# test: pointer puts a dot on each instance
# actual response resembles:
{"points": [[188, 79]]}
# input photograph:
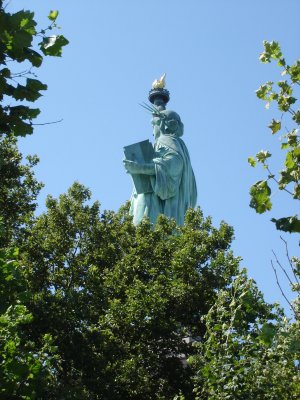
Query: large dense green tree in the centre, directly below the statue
{"points": [[118, 300]]}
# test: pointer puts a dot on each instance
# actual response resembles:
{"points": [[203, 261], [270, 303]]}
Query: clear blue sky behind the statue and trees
{"points": [[209, 51]]}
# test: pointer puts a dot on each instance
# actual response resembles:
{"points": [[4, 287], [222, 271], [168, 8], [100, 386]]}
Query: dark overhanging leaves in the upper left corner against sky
{"points": [[19, 51]]}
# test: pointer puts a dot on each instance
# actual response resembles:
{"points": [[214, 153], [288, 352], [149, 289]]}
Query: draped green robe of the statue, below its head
{"points": [[174, 185]]}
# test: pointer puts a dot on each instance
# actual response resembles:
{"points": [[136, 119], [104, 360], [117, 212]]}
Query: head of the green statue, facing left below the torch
{"points": [[167, 122]]}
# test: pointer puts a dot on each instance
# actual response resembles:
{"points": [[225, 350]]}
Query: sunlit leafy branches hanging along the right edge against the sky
{"points": [[289, 176]]}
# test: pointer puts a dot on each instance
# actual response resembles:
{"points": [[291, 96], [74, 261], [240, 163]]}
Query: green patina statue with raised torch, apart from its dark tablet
{"points": [[172, 186]]}
